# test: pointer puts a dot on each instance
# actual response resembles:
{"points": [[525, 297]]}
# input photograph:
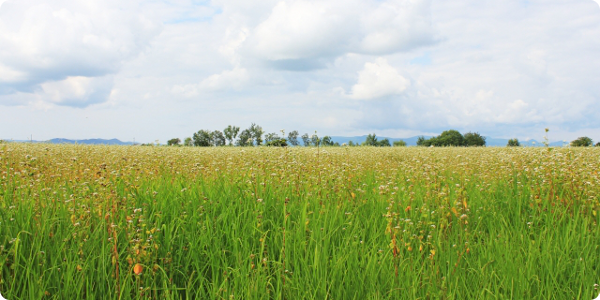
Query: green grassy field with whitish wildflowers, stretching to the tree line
{"points": [[118, 222]]}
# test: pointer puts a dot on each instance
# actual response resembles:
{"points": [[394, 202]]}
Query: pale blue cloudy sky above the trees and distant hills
{"points": [[160, 69]]}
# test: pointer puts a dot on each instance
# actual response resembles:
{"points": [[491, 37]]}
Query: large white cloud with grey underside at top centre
{"points": [[306, 35]]}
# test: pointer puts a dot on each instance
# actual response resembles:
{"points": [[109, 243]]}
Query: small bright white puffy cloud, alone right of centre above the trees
{"points": [[377, 80]]}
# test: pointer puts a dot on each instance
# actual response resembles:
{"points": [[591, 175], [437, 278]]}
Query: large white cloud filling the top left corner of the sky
{"points": [[44, 42]]}
